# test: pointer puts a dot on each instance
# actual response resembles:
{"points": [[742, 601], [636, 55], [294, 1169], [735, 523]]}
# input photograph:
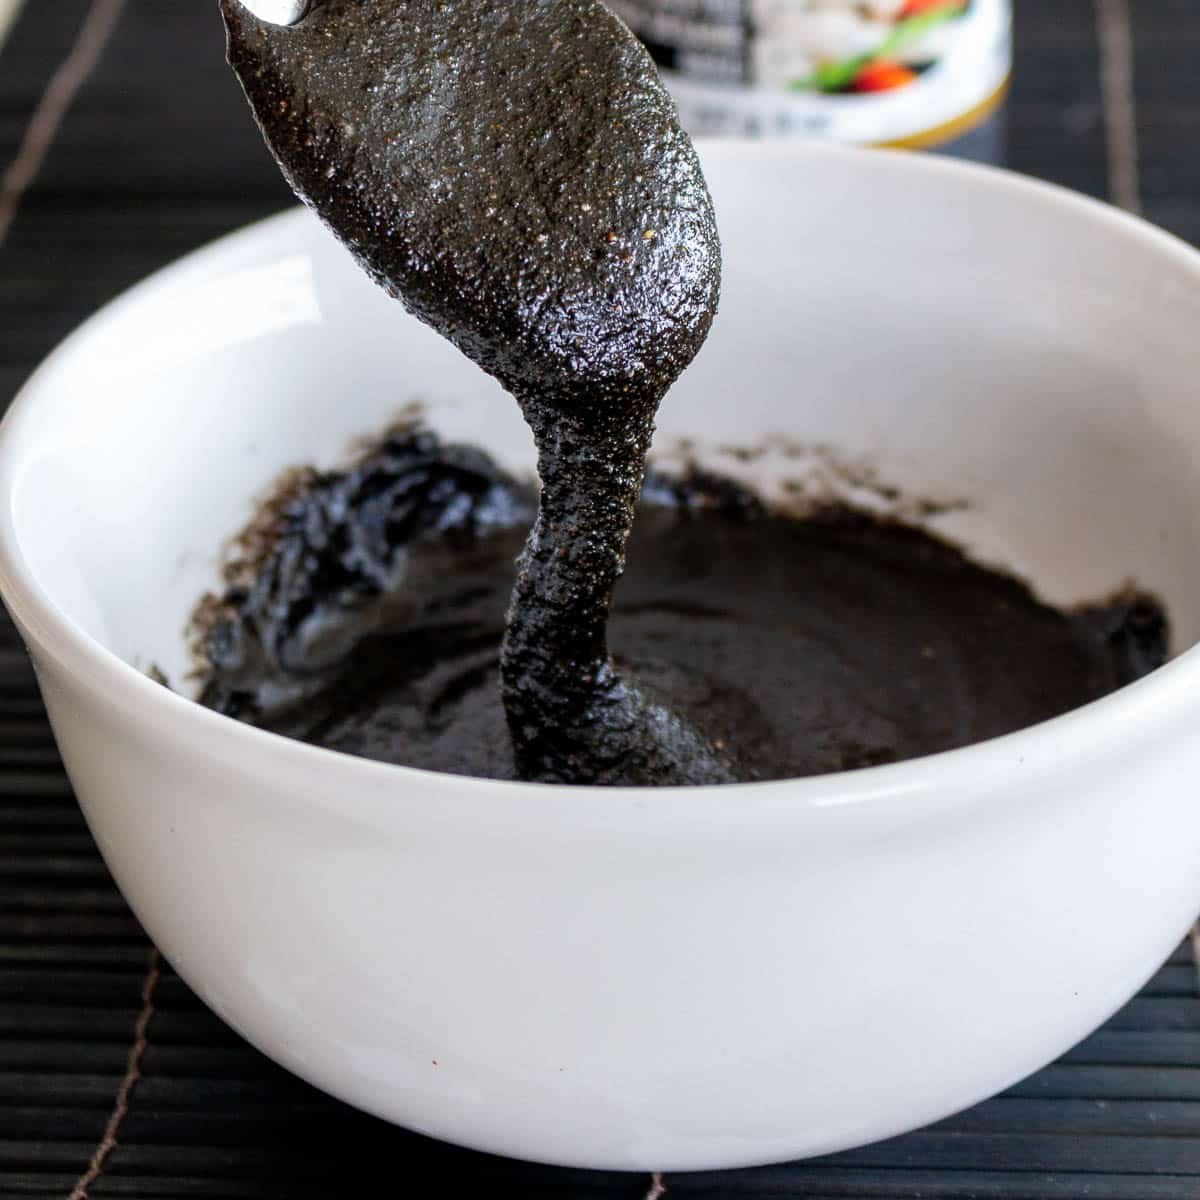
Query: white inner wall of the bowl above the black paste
{"points": [[959, 334]]}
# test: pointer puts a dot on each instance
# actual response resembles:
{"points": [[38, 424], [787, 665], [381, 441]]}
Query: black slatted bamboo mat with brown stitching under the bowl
{"points": [[115, 1081]]}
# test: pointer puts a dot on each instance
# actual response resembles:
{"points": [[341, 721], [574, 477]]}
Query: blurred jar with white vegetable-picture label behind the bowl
{"points": [[915, 74]]}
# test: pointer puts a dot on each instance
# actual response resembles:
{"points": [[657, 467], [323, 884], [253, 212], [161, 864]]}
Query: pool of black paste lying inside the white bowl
{"points": [[368, 616]]}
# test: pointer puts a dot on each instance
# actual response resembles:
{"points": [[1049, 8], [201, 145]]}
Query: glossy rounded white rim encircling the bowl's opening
{"points": [[1132, 713]]}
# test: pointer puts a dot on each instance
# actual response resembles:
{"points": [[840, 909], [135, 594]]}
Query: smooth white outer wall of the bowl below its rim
{"points": [[643, 986]]}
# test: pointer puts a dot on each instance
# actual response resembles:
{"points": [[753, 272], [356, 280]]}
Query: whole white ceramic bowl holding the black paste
{"points": [[641, 980]]}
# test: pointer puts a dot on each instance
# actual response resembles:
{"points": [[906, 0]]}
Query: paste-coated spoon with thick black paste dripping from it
{"points": [[515, 175]]}
